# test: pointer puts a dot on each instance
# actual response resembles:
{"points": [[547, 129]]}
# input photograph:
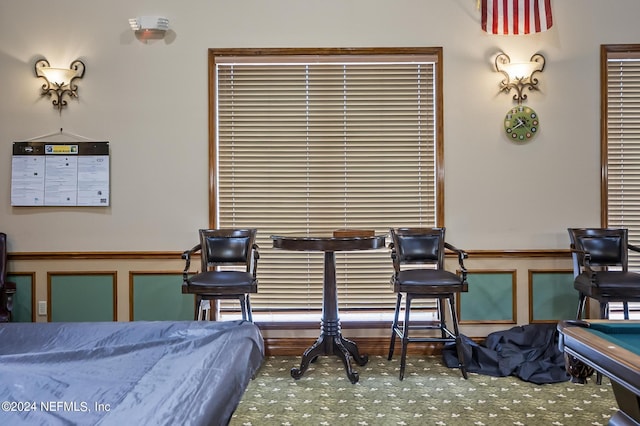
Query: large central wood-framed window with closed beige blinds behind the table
{"points": [[314, 143]]}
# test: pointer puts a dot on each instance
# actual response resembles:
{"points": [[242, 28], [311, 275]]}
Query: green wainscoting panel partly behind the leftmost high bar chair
{"points": [[158, 297]]}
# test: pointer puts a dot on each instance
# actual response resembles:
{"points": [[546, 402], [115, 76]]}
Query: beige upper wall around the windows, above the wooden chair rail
{"points": [[150, 101]]}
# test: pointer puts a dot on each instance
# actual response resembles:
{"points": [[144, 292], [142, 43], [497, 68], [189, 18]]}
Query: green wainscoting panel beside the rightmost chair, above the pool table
{"points": [[552, 296]]}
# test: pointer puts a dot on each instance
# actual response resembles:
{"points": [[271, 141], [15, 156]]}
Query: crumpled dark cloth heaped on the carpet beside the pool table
{"points": [[529, 352]]}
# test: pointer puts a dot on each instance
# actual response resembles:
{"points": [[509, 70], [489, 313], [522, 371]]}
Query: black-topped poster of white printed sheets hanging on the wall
{"points": [[60, 174]]}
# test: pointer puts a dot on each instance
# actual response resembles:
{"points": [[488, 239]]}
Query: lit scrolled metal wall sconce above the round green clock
{"points": [[519, 75]]}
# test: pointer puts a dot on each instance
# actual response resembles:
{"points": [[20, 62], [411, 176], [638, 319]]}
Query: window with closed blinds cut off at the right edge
{"points": [[623, 143]]}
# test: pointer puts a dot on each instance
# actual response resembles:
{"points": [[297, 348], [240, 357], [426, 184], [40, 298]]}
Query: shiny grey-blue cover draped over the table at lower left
{"points": [[126, 373]]}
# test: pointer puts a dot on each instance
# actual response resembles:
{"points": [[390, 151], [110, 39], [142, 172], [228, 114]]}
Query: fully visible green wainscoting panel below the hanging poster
{"points": [[77, 297]]}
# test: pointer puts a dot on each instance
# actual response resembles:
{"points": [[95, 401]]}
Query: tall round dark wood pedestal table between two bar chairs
{"points": [[330, 341]]}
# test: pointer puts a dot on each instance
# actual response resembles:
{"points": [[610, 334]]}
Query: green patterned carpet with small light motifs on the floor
{"points": [[430, 394]]}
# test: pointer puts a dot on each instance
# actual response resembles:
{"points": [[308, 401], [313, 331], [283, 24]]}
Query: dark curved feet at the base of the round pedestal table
{"points": [[337, 345]]}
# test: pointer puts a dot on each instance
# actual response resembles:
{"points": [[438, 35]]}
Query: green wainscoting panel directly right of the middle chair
{"points": [[490, 298]]}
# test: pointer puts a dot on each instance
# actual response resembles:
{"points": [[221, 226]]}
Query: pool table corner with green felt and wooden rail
{"points": [[612, 348]]}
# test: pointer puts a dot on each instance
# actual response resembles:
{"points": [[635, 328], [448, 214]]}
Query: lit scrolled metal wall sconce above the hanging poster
{"points": [[59, 81]]}
